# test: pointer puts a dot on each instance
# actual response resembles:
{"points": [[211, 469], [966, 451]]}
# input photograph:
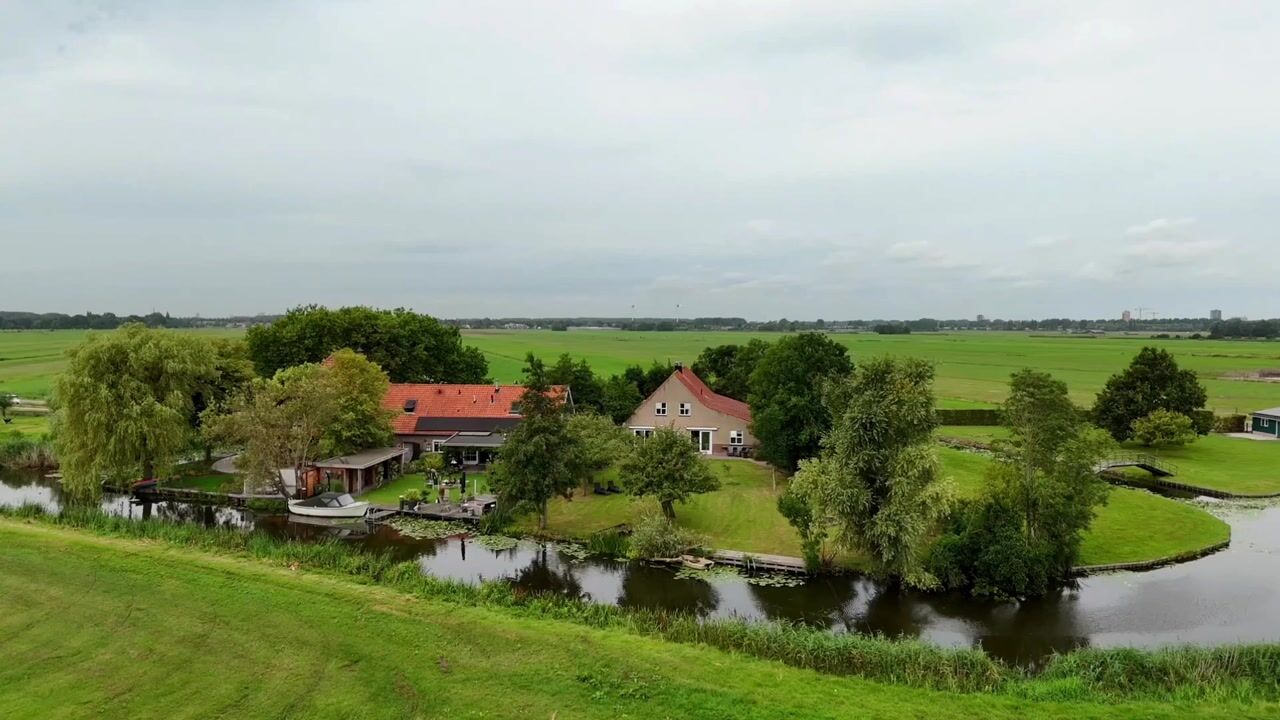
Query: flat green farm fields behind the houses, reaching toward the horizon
{"points": [[972, 368]]}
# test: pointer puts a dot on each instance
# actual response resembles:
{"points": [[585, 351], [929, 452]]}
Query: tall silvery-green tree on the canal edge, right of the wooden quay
{"points": [[876, 484]]}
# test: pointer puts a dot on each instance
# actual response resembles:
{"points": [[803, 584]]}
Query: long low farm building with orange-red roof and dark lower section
{"points": [[472, 420]]}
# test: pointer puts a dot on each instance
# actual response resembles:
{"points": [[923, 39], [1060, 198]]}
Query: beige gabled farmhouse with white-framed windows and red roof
{"points": [[717, 425]]}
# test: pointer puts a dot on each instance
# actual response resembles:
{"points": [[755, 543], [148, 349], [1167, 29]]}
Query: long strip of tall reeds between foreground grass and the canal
{"points": [[1244, 675]]}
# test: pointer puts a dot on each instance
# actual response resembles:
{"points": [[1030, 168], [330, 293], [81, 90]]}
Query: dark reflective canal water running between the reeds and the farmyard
{"points": [[1232, 596]]}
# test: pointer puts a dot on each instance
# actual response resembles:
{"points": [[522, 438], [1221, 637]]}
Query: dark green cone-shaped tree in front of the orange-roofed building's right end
{"points": [[540, 459]]}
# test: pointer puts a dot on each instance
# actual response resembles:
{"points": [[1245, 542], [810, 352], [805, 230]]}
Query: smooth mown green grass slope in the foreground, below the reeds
{"points": [[99, 627]]}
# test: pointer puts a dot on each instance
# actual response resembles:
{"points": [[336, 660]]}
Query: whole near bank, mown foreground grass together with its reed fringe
{"points": [[376, 642]]}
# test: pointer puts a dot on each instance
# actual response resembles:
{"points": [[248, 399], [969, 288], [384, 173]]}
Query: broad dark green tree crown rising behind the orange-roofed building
{"points": [[410, 347]]}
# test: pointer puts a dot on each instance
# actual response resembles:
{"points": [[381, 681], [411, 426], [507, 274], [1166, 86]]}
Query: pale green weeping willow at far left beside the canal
{"points": [[125, 405]]}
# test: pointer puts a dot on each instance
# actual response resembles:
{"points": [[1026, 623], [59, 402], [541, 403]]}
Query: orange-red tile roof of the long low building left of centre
{"points": [[454, 402]]}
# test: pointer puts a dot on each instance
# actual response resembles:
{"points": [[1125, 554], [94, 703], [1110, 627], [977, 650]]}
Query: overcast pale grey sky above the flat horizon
{"points": [[802, 160]]}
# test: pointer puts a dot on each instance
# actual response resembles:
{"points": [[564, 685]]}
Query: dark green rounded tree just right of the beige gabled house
{"points": [[789, 417]]}
